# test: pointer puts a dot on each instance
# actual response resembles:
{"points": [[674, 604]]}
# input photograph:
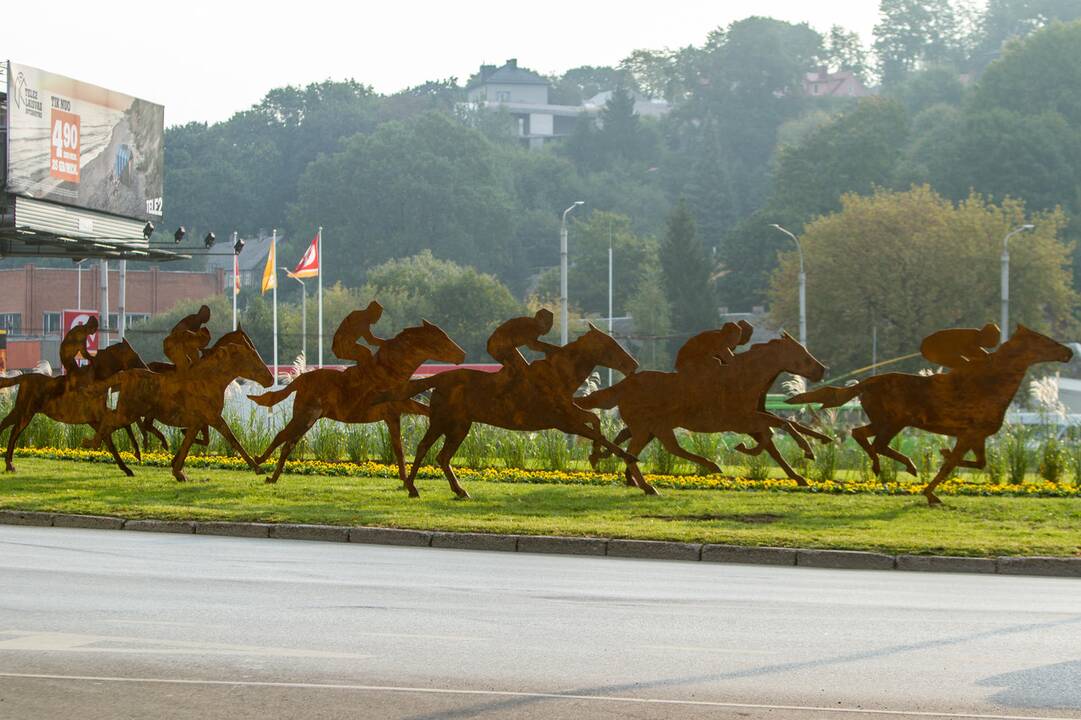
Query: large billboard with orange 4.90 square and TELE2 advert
{"points": [[82, 145]]}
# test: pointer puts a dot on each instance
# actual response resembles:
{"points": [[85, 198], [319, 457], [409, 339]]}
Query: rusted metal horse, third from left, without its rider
{"points": [[351, 395]]}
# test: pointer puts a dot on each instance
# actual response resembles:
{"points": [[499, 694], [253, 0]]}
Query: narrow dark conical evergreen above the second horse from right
{"points": [[687, 270]]}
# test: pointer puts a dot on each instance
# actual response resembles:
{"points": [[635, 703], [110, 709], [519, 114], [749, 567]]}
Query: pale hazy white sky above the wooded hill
{"points": [[205, 61]]}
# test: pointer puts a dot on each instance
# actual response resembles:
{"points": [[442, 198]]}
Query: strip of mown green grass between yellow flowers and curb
{"points": [[965, 526]]}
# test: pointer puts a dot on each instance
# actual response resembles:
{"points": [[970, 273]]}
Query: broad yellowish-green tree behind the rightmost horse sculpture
{"points": [[912, 263]]}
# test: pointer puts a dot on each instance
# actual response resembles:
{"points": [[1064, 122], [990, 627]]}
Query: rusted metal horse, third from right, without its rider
{"points": [[538, 398]]}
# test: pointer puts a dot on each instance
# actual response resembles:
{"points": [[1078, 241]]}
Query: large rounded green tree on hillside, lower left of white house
{"points": [[429, 183]]}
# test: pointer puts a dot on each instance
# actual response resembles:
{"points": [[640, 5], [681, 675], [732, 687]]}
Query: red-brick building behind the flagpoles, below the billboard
{"points": [[32, 300]]}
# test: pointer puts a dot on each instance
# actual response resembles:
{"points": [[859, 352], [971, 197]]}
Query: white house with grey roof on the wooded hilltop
{"points": [[524, 95]]}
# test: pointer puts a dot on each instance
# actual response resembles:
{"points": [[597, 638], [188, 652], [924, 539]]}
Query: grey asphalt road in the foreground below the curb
{"points": [[112, 624]]}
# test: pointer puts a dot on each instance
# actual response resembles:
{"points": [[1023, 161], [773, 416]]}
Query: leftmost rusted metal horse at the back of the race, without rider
{"points": [[84, 403]]}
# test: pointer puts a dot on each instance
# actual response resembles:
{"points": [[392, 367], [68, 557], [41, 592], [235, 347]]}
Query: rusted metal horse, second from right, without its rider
{"points": [[709, 397]]}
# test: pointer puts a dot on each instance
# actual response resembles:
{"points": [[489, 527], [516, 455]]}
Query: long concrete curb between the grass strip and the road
{"points": [[588, 546]]}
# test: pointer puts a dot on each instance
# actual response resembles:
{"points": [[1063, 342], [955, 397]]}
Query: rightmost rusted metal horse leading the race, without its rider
{"points": [[968, 404]]}
